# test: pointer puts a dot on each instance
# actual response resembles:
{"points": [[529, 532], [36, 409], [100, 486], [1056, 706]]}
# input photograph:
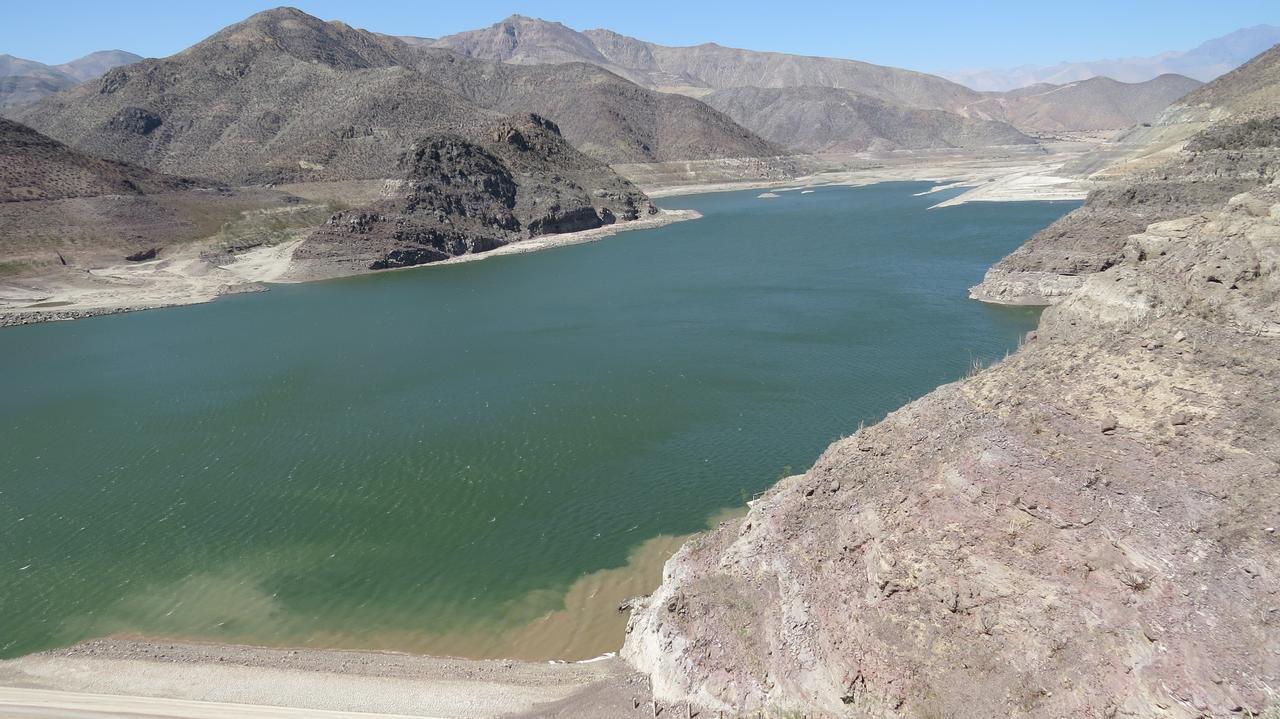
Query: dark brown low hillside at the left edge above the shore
{"points": [[34, 167]]}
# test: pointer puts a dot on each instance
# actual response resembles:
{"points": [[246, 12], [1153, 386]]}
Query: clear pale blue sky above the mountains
{"points": [[920, 35]]}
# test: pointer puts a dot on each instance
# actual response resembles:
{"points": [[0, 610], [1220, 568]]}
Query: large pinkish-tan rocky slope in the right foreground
{"points": [[1087, 529]]}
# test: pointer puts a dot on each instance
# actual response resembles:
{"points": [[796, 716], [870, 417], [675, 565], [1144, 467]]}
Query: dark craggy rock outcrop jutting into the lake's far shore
{"points": [[463, 196]]}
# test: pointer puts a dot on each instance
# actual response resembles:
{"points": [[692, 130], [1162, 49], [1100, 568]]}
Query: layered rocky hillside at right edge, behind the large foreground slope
{"points": [[1240, 153]]}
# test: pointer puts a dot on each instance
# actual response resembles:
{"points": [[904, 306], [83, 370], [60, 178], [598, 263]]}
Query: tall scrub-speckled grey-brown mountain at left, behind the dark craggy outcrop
{"points": [[299, 99]]}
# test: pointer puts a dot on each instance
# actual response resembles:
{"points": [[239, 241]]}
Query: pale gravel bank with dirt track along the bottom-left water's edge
{"points": [[124, 679]]}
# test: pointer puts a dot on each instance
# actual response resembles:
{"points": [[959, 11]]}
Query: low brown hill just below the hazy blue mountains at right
{"points": [[1098, 104]]}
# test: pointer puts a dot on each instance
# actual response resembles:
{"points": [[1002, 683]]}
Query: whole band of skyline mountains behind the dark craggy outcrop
{"points": [[618, 99]]}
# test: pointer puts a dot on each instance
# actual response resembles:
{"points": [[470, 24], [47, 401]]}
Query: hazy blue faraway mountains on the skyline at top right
{"points": [[1204, 63]]}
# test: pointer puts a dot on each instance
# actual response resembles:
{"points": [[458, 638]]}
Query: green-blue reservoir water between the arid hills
{"points": [[381, 460]]}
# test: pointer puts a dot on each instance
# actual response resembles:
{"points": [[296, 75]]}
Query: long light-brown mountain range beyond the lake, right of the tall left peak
{"points": [[778, 97]]}
